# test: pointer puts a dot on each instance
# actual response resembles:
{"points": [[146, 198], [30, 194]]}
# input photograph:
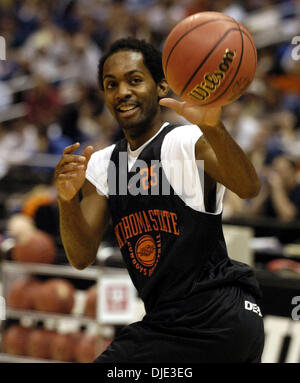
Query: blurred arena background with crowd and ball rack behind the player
{"points": [[49, 98]]}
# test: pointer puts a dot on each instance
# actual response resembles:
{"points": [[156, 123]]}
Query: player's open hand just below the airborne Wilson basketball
{"points": [[196, 114]]}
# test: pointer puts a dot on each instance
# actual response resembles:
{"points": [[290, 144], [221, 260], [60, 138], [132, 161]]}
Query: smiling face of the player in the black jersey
{"points": [[130, 91]]}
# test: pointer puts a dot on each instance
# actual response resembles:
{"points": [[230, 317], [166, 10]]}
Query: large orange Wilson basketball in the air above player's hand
{"points": [[209, 59]]}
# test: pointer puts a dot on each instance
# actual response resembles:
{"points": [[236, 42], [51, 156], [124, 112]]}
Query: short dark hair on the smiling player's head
{"points": [[152, 56]]}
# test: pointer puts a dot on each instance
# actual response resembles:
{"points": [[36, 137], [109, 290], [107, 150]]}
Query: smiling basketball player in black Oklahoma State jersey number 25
{"points": [[200, 305]]}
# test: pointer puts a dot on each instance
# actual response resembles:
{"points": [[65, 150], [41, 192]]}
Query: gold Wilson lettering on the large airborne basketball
{"points": [[211, 81]]}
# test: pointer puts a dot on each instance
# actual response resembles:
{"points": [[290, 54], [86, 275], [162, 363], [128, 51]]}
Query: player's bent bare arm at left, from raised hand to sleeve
{"points": [[82, 223]]}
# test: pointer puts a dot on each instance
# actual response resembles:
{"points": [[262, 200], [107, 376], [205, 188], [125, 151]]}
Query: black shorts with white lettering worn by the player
{"points": [[220, 326]]}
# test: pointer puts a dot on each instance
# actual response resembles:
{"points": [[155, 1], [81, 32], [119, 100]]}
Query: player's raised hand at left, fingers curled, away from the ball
{"points": [[70, 171]]}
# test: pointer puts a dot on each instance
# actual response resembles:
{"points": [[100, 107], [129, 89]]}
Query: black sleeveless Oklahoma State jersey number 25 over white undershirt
{"points": [[172, 252]]}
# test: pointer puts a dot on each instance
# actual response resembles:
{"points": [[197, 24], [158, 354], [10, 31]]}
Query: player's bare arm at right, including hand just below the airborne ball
{"points": [[223, 158]]}
